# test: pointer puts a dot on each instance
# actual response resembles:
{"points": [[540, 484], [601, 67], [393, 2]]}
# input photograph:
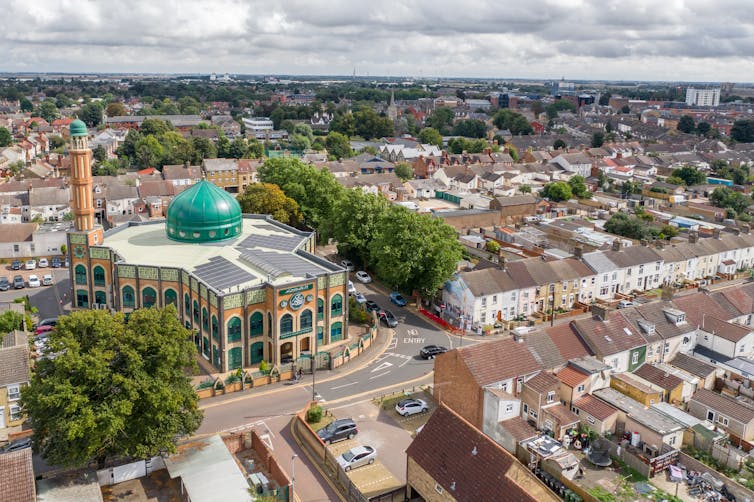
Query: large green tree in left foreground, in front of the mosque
{"points": [[114, 389]]}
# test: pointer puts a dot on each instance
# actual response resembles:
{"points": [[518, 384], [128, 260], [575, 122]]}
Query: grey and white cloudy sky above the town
{"points": [[691, 40]]}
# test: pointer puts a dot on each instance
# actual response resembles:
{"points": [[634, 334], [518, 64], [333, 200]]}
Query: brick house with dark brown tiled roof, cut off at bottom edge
{"points": [[452, 460]]}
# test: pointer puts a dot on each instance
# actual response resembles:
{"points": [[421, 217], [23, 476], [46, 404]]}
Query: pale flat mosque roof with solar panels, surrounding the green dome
{"points": [[265, 252]]}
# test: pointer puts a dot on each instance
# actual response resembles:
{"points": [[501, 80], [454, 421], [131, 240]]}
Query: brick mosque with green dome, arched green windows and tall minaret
{"points": [[248, 287]]}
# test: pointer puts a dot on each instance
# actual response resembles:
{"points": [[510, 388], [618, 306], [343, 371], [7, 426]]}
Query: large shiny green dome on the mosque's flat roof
{"points": [[203, 213]]}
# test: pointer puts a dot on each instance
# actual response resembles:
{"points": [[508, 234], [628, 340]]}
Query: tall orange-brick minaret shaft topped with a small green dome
{"points": [[81, 178]]}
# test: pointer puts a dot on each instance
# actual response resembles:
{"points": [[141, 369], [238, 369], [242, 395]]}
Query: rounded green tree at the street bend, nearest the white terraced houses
{"points": [[414, 251]]}
